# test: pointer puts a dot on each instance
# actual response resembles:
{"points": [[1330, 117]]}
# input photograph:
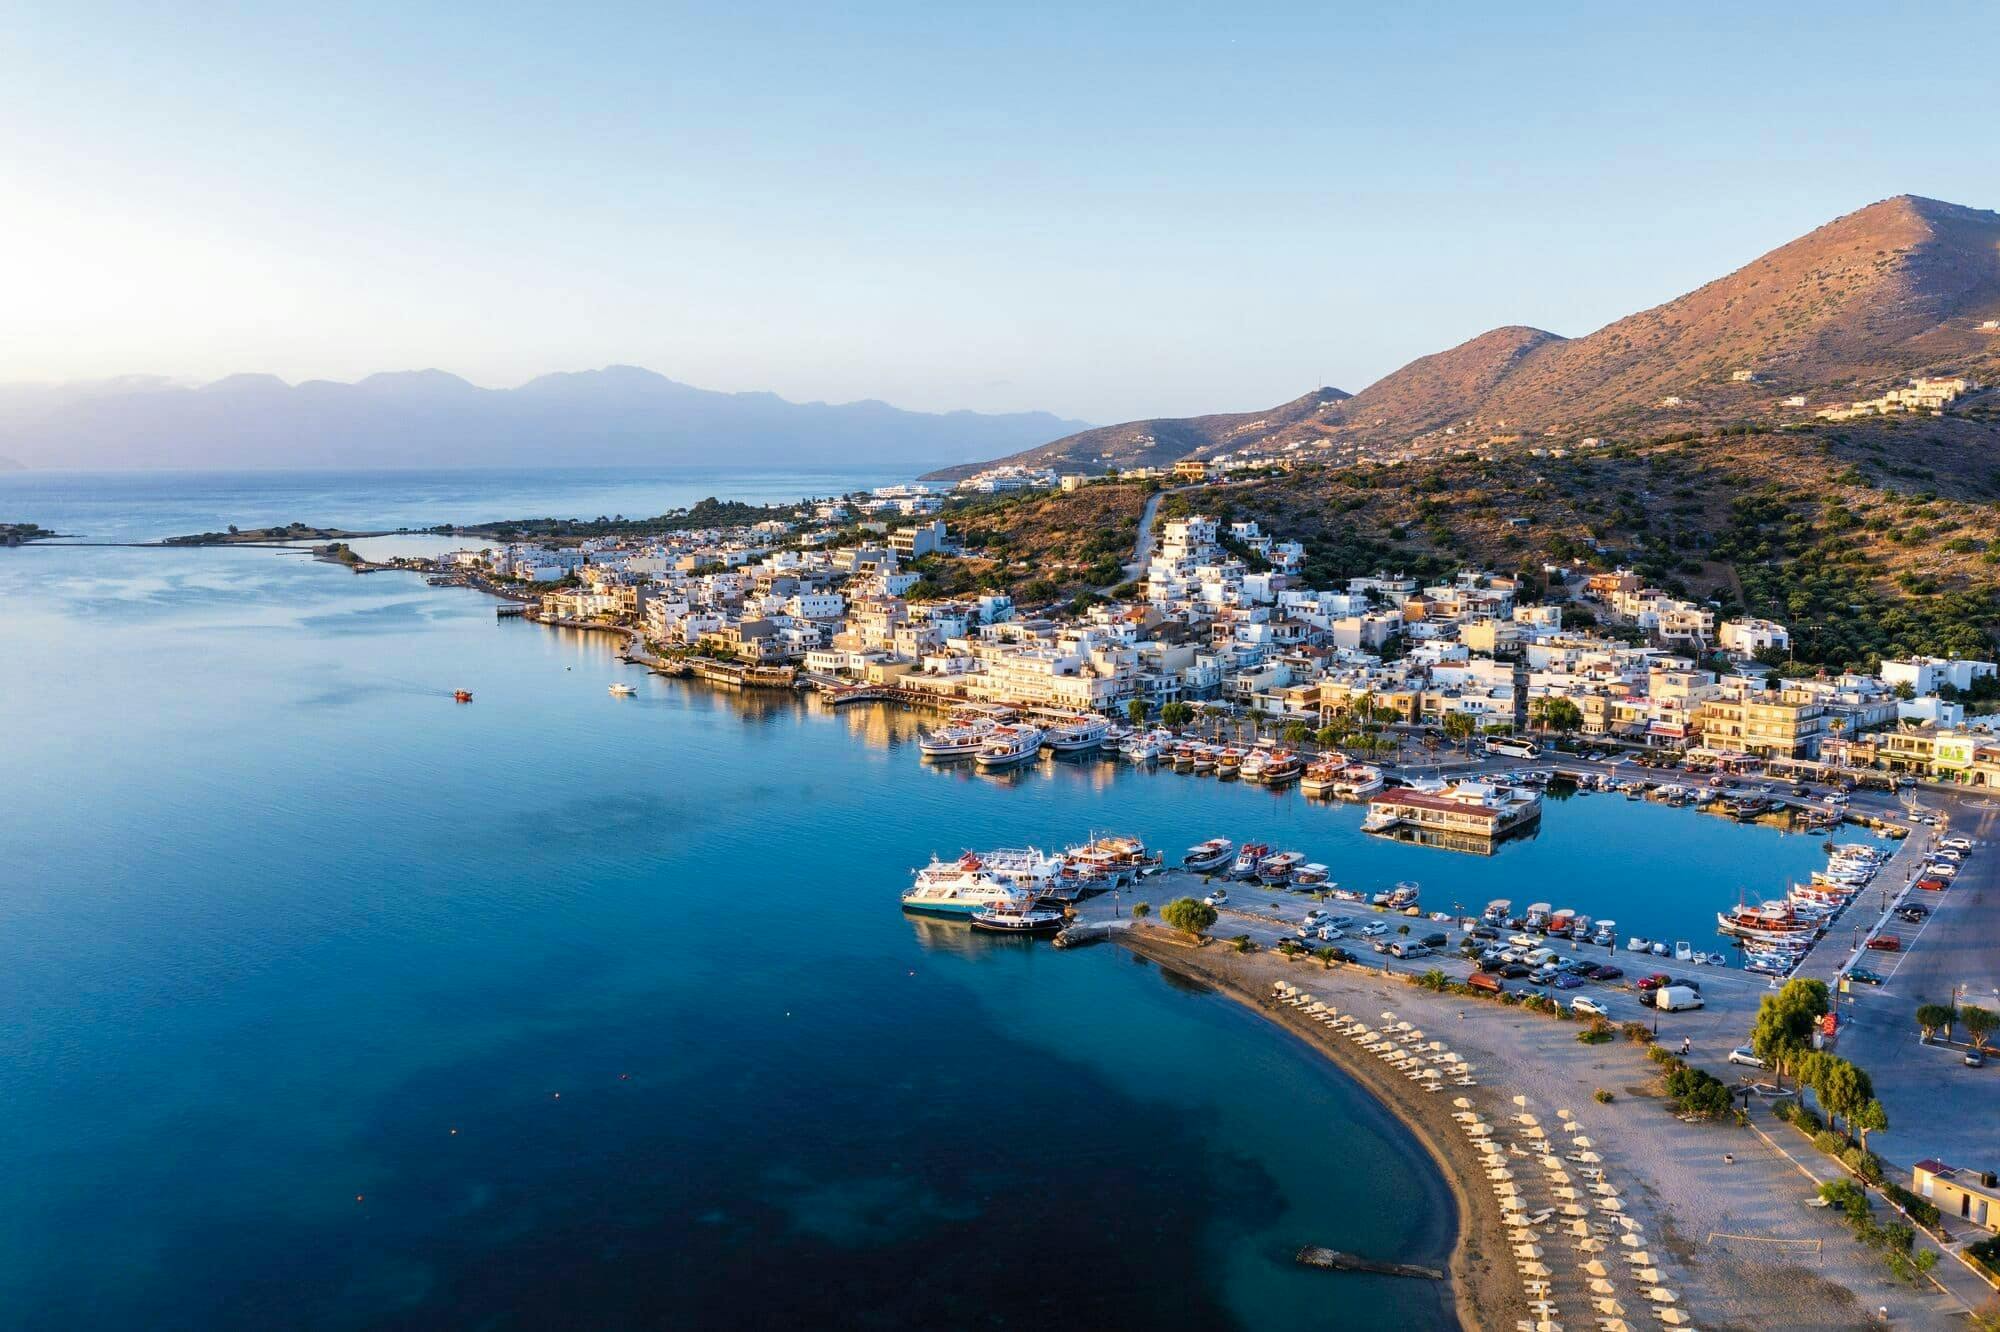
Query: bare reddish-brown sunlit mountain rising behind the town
{"points": [[1855, 307]]}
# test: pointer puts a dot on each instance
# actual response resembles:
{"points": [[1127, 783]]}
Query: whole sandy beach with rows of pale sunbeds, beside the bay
{"points": [[1725, 1221]]}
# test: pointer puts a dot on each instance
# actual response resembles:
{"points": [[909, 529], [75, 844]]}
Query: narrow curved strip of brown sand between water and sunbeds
{"points": [[1483, 1291]]}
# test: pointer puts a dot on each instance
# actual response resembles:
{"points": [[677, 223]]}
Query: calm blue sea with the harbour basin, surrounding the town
{"points": [[329, 1003]]}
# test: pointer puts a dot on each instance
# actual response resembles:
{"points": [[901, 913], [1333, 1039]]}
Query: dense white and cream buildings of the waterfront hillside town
{"points": [[1225, 615]]}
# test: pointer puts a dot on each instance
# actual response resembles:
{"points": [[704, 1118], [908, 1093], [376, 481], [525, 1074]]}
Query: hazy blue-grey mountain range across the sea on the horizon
{"points": [[619, 415]]}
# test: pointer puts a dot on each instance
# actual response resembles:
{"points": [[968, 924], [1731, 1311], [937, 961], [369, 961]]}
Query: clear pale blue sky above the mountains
{"points": [[1095, 211]]}
